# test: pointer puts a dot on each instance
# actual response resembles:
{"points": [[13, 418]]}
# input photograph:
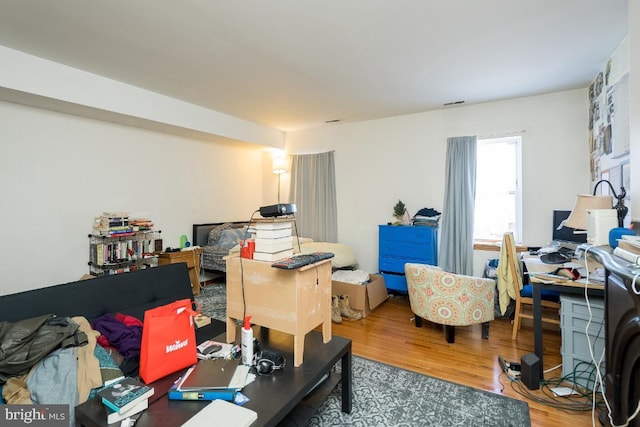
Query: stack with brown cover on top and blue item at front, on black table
{"points": [[210, 379]]}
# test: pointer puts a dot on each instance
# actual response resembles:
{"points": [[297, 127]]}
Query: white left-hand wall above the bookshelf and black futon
{"points": [[59, 171]]}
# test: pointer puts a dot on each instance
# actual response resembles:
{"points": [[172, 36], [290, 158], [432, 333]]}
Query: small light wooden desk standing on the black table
{"points": [[292, 301]]}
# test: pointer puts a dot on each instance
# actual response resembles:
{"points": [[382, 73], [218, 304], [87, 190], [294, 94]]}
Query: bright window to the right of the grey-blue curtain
{"points": [[498, 207]]}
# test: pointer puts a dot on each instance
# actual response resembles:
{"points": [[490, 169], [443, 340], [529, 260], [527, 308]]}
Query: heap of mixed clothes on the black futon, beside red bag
{"points": [[64, 360]]}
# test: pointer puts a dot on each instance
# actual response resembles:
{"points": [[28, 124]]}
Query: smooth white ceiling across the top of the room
{"points": [[294, 64]]}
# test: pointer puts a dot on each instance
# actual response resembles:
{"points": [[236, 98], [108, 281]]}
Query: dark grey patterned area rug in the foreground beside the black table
{"points": [[385, 395]]}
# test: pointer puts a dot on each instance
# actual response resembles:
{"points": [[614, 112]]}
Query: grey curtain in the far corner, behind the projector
{"points": [[313, 190]]}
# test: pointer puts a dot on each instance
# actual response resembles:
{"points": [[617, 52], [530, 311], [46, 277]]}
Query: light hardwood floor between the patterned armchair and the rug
{"points": [[389, 335]]}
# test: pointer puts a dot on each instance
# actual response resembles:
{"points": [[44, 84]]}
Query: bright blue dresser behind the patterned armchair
{"points": [[399, 244]]}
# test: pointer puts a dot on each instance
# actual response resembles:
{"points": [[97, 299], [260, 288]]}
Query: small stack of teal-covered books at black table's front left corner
{"points": [[125, 398]]}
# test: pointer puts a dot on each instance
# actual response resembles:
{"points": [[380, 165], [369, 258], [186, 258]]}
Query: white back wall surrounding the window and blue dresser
{"points": [[381, 161]]}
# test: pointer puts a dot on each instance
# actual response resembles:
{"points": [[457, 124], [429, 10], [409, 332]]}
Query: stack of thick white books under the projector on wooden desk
{"points": [[274, 240]]}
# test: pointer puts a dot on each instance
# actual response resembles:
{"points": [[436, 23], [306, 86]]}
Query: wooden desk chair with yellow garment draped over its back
{"points": [[523, 295]]}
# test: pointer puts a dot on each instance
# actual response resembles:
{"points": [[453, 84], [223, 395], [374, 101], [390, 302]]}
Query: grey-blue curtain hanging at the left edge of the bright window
{"points": [[456, 242]]}
